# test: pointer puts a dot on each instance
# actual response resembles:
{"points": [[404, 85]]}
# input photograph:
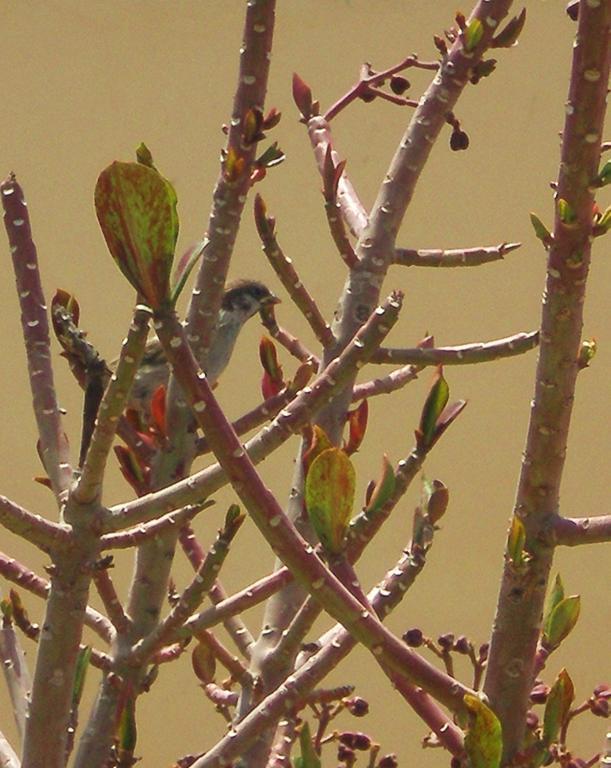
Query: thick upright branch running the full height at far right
{"points": [[516, 630]]}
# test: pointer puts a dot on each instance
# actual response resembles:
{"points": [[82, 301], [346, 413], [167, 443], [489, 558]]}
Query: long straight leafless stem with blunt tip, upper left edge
{"points": [[53, 442]]}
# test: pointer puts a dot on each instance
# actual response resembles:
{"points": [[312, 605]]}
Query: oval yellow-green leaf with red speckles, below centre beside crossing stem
{"points": [[329, 497]]}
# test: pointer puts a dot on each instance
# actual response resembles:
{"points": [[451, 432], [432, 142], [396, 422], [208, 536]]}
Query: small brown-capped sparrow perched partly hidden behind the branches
{"points": [[242, 300]]}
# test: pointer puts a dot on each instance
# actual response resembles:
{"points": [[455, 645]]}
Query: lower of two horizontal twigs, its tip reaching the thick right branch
{"points": [[465, 354]]}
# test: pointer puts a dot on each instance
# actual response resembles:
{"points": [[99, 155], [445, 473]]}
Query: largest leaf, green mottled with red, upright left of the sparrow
{"points": [[136, 209]]}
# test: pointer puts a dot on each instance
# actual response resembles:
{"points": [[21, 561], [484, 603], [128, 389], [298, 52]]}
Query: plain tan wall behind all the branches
{"points": [[84, 82]]}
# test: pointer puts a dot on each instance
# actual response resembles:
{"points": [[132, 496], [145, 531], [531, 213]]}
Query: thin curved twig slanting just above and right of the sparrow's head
{"points": [[287, 273]]}
